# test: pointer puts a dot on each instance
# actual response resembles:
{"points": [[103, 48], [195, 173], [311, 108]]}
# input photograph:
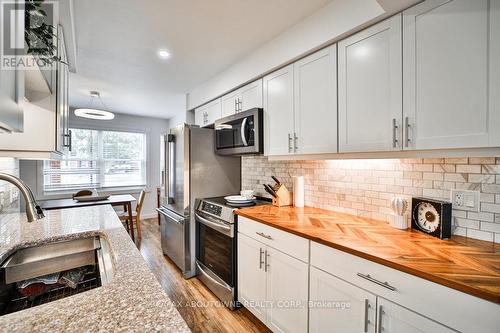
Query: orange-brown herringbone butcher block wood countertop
{"points": [[468, 265]]}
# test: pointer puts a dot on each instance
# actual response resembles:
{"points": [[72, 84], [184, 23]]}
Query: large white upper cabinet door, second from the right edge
{"points": [[370, 89]]}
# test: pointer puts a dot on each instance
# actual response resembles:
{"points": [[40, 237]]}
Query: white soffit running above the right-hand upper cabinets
{"points": [[336, 20]]}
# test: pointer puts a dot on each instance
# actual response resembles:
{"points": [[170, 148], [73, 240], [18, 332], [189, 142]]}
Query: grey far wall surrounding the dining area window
{"points": [[153, 127]]}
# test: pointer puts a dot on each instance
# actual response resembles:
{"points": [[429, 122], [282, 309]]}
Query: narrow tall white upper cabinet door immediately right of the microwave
{"points": [[278, 112]]}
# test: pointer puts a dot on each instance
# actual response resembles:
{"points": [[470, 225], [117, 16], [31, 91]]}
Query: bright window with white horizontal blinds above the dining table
{"points": [[99, 159]]}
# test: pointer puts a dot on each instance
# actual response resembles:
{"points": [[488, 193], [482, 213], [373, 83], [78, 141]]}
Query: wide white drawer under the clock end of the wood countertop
{"points": [[448, 306]]}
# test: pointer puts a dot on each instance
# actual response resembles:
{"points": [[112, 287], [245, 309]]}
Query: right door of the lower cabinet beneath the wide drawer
{"points": [[396, 319]]}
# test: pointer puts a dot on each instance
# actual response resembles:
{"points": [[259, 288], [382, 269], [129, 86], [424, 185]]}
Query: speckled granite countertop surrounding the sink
{"points": [[132, 301]]}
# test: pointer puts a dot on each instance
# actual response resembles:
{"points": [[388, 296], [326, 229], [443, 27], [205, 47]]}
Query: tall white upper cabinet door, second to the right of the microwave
{"points": [[316, 102]]}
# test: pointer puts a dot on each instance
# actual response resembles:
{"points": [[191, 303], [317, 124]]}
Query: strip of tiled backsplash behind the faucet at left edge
{"points": [[9, 194]]}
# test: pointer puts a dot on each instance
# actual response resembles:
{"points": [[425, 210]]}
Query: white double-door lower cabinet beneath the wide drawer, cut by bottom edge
{"points": [[338, 306]]}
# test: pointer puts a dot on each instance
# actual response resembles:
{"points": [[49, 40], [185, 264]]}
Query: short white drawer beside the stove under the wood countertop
{"points": [[292, 245]]}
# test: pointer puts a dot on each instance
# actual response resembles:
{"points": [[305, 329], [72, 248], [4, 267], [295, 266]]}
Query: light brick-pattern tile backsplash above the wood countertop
{"points": [[366, 187]]}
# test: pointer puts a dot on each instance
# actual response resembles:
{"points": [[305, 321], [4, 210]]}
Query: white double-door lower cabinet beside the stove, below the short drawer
{"points": [[272, 285]]}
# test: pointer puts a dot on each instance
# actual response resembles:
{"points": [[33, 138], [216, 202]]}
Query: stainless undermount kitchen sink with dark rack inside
{"points": [[43, 273]]}
